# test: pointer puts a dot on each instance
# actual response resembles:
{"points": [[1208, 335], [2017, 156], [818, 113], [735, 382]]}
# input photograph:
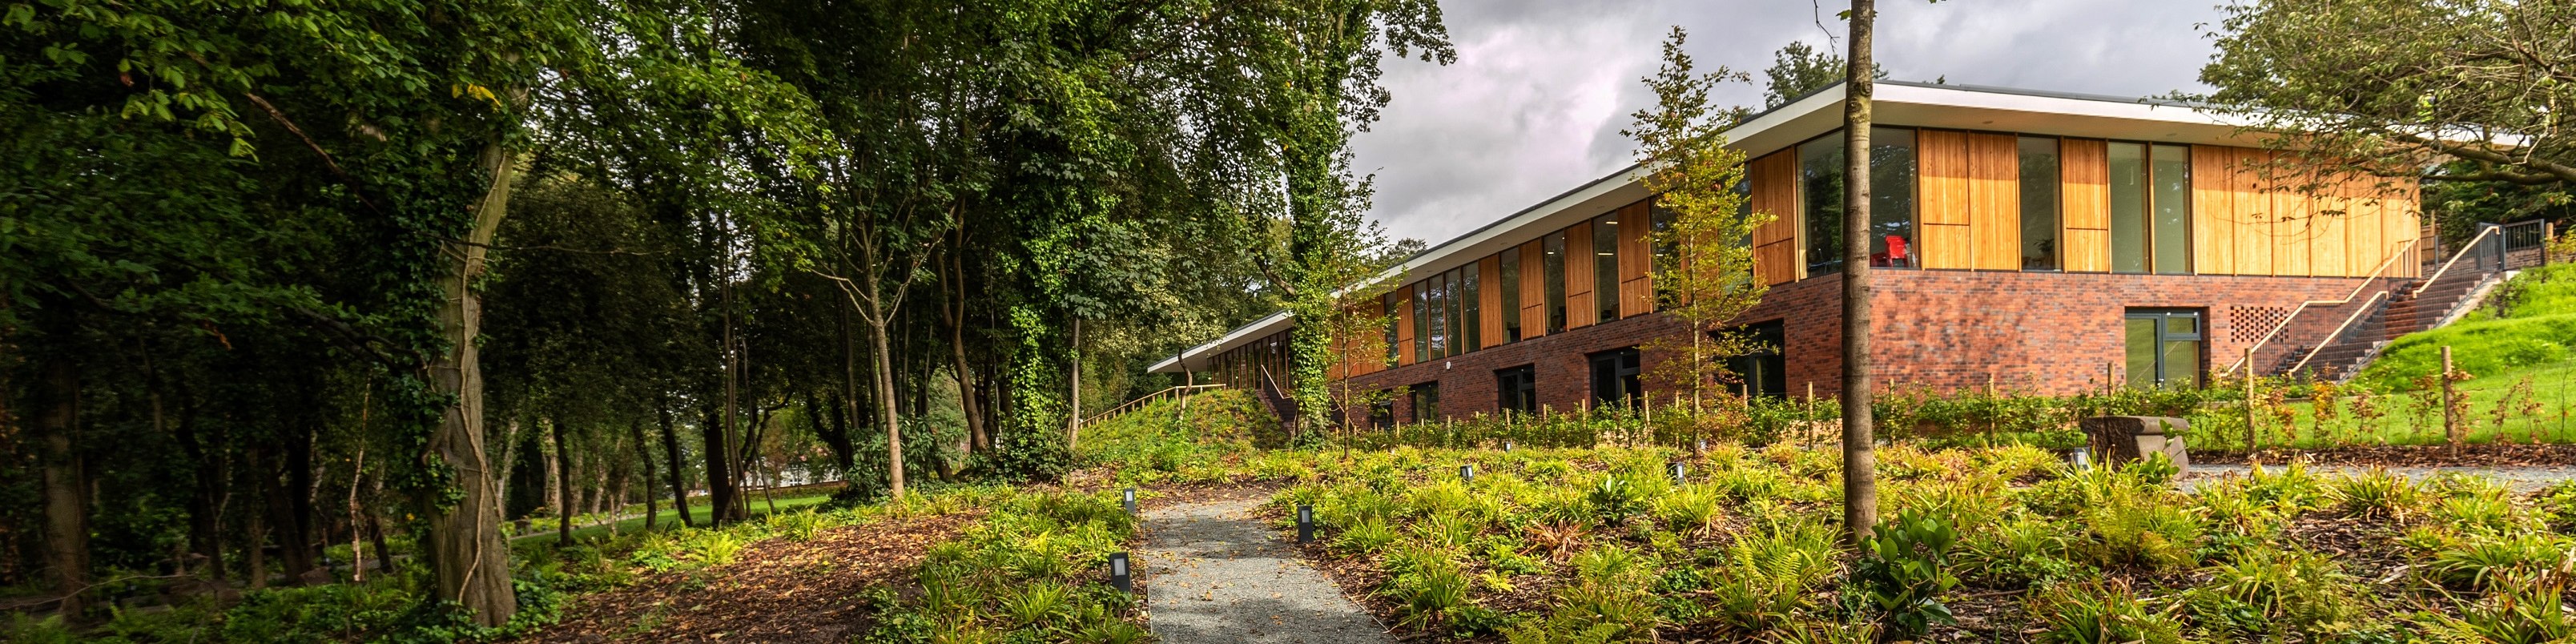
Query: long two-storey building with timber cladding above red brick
{"points": [[2023, 241]]}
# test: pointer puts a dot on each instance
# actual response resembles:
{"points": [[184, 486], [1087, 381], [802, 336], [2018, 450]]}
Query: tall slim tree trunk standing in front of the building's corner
{"points": [[1859, 460]]}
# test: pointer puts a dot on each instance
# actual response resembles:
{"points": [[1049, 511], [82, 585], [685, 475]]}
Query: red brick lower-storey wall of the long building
{"points": [[2047, 334]]}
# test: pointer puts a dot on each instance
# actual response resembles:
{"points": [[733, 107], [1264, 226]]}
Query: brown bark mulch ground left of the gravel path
{"points": [[774, 591]]}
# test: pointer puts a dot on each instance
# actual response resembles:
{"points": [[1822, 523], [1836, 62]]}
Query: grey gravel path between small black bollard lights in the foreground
{"points": [[1215, 573]]}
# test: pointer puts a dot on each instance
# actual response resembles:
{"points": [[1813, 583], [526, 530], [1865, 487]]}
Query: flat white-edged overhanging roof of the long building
{"points": [[1897, 104]]}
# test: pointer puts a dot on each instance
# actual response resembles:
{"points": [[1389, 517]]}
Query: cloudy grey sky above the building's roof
{"points": [[1544, 86]]}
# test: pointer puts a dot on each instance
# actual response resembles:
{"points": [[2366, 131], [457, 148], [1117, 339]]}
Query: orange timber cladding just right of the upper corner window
{"points": [[1969, 200]]}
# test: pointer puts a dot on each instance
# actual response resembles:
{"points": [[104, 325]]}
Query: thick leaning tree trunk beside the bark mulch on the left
{"points": [[473, 565]]}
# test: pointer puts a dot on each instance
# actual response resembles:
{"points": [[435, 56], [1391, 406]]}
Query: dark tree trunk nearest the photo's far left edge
{"points": [[66, 483]]}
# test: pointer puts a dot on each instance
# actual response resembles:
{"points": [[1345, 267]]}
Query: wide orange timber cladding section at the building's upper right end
{"points": [[2255, 220]]}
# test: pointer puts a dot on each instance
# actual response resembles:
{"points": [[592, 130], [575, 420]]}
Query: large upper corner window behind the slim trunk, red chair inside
{"points": [[1892, 200]]}
